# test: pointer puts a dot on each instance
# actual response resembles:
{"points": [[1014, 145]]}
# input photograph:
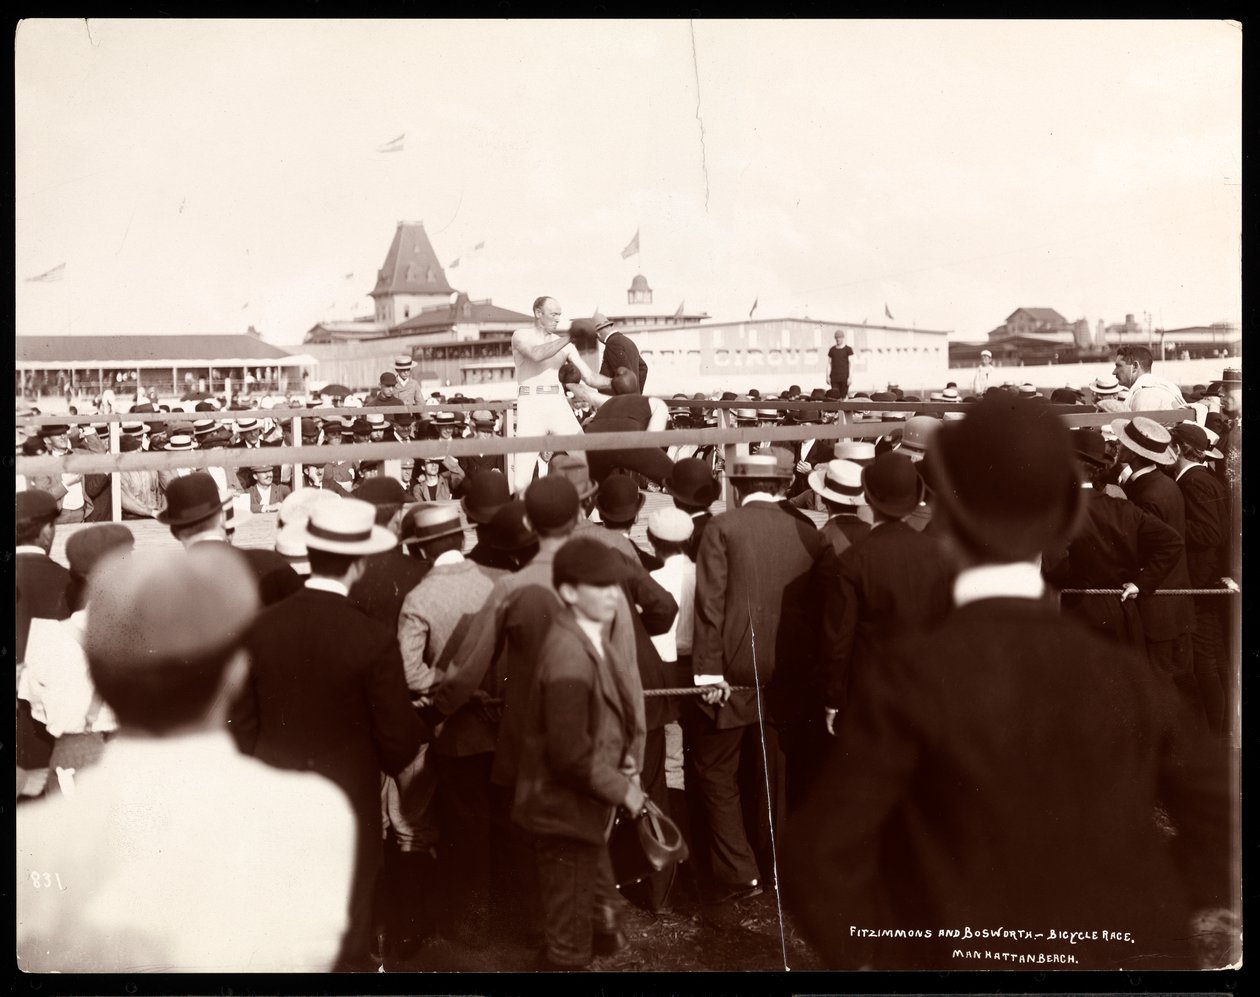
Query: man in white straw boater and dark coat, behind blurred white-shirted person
{"points": [[327, 693]]}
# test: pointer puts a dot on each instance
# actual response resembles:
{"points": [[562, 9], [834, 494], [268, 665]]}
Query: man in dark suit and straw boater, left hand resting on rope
{"points": [[757, 625]]}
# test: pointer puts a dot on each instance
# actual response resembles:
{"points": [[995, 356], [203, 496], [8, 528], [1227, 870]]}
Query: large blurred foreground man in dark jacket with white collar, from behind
{"points": [[1002, 771]]}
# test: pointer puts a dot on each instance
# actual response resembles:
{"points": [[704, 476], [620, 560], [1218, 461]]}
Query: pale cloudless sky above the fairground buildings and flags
{"points": [[201, 177]]}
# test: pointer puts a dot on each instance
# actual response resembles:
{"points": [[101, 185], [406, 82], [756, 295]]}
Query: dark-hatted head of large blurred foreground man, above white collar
{"points": [[1006, 481]]}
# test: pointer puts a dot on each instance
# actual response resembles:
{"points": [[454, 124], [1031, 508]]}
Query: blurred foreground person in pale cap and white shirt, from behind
{"points": [[130, 874]]}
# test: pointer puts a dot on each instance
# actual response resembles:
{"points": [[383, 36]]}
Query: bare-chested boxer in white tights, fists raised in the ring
{"points": [[539, 352]]}
